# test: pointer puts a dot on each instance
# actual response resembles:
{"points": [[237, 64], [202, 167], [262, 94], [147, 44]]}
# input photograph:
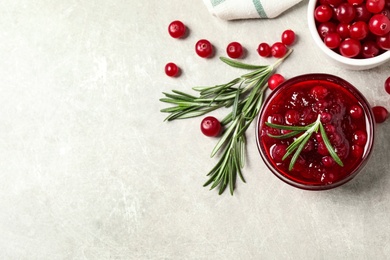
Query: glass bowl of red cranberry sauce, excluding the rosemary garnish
{"points": [[346, 117]]}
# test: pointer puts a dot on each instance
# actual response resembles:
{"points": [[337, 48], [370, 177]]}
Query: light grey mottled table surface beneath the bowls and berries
{"points": [[89, 170]]}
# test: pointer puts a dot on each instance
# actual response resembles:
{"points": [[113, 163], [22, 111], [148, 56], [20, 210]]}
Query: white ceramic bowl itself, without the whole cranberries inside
{"points": [[348, 63]]}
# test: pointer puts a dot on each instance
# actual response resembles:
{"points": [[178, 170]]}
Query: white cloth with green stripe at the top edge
{"points": [[245, 9]]}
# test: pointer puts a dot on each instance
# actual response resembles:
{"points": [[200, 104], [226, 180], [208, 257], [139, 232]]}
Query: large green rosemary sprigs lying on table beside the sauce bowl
{"points": [[245, 95]]}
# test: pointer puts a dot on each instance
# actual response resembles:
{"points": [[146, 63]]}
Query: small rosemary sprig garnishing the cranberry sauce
{"points": [[298, 144]]}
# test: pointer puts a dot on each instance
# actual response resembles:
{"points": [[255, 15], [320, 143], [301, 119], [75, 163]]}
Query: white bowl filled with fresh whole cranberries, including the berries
{"points": [[354, 34]]}
